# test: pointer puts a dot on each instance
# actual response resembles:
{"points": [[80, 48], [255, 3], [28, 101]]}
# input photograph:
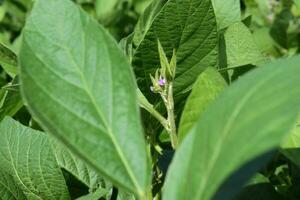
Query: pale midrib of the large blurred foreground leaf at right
{"points": [[226, 131]]}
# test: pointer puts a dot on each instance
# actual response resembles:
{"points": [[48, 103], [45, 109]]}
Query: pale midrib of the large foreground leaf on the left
{"points": [[92, 99]]}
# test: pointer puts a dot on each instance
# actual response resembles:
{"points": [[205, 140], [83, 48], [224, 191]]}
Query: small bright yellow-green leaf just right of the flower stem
{"points": [[207, 87]]}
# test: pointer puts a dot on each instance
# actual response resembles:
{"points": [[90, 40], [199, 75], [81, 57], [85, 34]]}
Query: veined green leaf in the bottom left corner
{"points": [[27, 163]]}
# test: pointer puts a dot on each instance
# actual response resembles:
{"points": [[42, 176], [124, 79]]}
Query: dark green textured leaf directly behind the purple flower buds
{"points": [[190, 28]]}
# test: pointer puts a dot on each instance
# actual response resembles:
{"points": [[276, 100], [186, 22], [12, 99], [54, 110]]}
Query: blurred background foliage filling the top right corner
{"points": [[275, 25]]}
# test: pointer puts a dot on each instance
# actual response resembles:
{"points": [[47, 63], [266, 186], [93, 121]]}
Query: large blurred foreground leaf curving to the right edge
{"points": [[247, 120]]}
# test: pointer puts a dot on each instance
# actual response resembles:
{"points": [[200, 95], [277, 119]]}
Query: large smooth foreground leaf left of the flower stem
{"points": [[80, 87]]}
